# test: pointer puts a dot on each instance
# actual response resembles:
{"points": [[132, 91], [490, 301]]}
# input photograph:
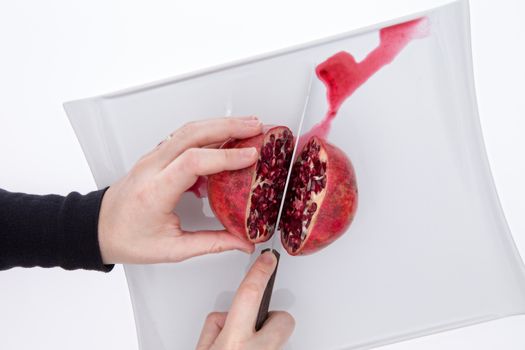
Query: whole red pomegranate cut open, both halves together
{"points": [[321, 199]]}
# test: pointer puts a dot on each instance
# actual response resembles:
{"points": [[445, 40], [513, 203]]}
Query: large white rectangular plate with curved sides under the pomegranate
{"points": [[429, 249]]}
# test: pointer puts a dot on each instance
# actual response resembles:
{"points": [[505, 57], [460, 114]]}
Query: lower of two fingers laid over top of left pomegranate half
{"points": [[182, 173]]}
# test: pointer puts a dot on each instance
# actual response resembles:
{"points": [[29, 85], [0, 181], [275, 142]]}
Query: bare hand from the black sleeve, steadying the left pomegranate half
{"points": [[137, 223]]}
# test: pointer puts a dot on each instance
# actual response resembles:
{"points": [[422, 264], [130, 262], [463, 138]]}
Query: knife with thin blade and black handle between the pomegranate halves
{"points": [[262, 315]]}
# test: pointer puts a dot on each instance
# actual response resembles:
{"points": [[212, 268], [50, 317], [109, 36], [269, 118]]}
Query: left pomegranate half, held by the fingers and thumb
{"points": [[247, 201]]}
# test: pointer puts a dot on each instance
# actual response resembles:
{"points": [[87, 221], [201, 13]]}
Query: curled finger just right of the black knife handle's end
{"points": [[276, 330]]}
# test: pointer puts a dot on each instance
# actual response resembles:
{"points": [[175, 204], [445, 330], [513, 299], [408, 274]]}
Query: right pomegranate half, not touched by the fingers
{"points": [[321, 199]]}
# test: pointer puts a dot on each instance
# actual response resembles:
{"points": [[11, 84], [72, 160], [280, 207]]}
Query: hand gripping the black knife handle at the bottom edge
{"points": [[235, 330]]}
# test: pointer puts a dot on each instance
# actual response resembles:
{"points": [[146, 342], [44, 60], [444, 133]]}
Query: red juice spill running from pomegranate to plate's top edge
{"points": [[342, 75]]}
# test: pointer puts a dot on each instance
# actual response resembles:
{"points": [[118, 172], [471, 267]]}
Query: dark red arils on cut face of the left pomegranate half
{"points": [[268, 184]]}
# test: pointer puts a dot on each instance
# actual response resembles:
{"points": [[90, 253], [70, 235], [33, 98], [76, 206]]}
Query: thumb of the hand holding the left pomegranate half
{"points": [[192, 244]]}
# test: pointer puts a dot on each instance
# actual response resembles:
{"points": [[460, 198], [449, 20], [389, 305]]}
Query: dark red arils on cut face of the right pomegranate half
{"points": [[307, 180]]}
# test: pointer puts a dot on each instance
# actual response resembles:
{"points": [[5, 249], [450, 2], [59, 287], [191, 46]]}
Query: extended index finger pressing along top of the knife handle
{"points": [[245, 306]]}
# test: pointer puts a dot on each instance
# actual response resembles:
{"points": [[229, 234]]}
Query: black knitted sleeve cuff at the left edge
{"points": [[50, 231]]}
